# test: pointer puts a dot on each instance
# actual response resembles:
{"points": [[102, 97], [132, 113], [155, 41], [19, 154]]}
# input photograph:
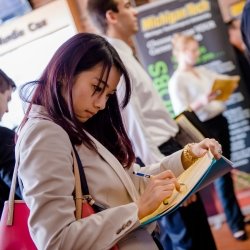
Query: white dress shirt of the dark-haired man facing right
{"points": [[146, 118]]}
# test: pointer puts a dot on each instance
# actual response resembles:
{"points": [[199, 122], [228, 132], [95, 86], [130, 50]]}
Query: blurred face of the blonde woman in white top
{"points": [[189, 53]]}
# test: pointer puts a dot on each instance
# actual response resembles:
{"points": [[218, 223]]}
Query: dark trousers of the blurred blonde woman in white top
{"points": [[218, 129]]}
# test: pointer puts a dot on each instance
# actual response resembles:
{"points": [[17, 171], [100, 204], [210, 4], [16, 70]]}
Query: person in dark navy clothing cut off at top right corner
{"points": [[245, 25]]}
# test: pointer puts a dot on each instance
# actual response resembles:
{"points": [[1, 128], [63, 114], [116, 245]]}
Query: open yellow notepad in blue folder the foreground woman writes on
{"points": [[200, 174]]}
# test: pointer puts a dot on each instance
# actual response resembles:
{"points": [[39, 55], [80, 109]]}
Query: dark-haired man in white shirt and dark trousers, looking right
{"points": [[149, 126]]}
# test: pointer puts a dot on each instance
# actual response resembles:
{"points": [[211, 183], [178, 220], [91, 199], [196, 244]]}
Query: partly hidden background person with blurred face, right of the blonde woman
{"points": [[239, 47]]}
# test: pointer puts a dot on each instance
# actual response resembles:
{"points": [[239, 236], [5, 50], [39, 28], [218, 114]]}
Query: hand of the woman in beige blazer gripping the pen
{"points": [[159, 187]]}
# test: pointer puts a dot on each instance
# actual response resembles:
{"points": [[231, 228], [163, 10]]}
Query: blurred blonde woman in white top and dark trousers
{"points": [[190, 87]]}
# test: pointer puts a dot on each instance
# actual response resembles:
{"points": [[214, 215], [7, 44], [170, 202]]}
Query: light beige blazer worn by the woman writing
{"points": [[43, 153]]}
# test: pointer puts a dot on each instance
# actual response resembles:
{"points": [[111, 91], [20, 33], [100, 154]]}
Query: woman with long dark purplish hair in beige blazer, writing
{"points": [[74, 102]]}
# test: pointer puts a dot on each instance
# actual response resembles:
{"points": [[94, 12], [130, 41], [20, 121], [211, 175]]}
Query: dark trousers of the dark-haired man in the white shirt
{"points": [[186, 228]]}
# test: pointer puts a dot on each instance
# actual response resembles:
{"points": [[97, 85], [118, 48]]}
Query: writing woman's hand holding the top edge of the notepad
{"points": [[199, 149]]}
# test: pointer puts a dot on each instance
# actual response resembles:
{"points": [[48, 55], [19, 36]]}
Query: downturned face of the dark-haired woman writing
{"points": [[88, 97]]}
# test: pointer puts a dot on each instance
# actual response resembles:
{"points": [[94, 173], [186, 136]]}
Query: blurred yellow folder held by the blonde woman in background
{"points": [[225, 87]]}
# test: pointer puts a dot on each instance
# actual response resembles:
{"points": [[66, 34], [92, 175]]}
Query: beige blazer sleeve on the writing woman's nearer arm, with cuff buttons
{"points": [[48, 184]]}
